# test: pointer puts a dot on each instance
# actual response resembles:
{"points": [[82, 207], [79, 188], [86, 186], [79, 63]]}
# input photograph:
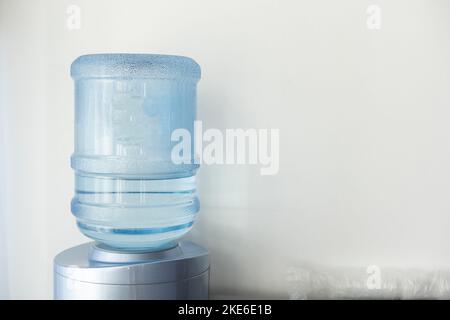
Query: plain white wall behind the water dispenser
{"points": [[363, 116]]}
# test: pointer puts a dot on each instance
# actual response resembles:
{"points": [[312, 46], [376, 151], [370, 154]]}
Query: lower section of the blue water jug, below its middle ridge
{"points": [[135, 214]]}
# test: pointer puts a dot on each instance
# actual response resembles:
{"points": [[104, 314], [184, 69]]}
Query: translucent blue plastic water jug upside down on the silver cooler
{"points": [[129, 194]]}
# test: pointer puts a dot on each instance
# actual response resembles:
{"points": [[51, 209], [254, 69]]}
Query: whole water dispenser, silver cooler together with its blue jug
{"points": [[130, 196]]}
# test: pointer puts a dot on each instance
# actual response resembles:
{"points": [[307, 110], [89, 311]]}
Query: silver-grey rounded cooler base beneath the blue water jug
{"points": [[90, 271]]}
